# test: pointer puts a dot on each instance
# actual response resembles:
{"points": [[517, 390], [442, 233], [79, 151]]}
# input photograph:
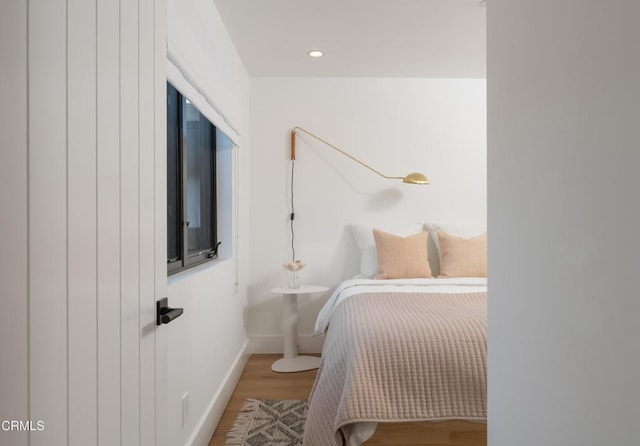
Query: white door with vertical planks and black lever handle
{"points": [[82, 136]]}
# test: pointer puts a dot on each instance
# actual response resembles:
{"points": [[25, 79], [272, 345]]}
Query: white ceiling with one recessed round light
{"points": [[360, 38]]}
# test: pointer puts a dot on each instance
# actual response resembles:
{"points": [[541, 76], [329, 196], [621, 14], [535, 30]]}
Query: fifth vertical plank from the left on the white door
{"points": [[129, 224]]}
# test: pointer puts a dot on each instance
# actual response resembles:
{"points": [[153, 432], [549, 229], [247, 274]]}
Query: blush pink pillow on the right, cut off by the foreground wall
{"points": [[462, 257]]}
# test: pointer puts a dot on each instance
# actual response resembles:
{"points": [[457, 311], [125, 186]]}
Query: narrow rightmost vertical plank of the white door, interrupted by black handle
{"points": [[160, 199]]}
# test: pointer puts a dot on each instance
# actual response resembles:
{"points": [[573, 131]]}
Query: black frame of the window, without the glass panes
{"points": [[185, 261]]}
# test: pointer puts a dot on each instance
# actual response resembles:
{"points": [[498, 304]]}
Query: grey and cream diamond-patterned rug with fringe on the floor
{"points": [[269, 422]]}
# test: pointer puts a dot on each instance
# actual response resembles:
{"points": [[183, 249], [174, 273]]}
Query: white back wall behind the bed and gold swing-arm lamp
{"points": [[398, 126]]}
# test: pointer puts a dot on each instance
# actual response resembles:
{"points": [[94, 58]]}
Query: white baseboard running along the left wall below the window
{"points": [[209, 421]]}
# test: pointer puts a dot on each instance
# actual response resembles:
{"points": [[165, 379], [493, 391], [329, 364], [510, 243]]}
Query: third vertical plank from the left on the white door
{"points": [[82, 233]]}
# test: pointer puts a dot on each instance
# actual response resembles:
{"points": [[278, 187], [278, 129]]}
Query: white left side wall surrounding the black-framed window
{"points": [[207, 345]]}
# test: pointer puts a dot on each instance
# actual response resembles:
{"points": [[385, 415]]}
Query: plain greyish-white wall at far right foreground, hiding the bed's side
{"points": [[564, 331]]}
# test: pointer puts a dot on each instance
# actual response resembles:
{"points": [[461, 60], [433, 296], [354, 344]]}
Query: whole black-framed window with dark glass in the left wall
{"points": [[191, 185]]}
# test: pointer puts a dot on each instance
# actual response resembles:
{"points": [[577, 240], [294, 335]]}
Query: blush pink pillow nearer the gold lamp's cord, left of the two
{"points": [[401, 257]]}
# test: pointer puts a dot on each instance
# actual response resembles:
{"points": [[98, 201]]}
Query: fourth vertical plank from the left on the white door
{"points": [[108, 210]]}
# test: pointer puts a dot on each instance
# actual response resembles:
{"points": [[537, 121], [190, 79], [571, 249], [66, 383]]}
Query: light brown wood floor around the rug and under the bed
{"points": [[258, 381]]}
